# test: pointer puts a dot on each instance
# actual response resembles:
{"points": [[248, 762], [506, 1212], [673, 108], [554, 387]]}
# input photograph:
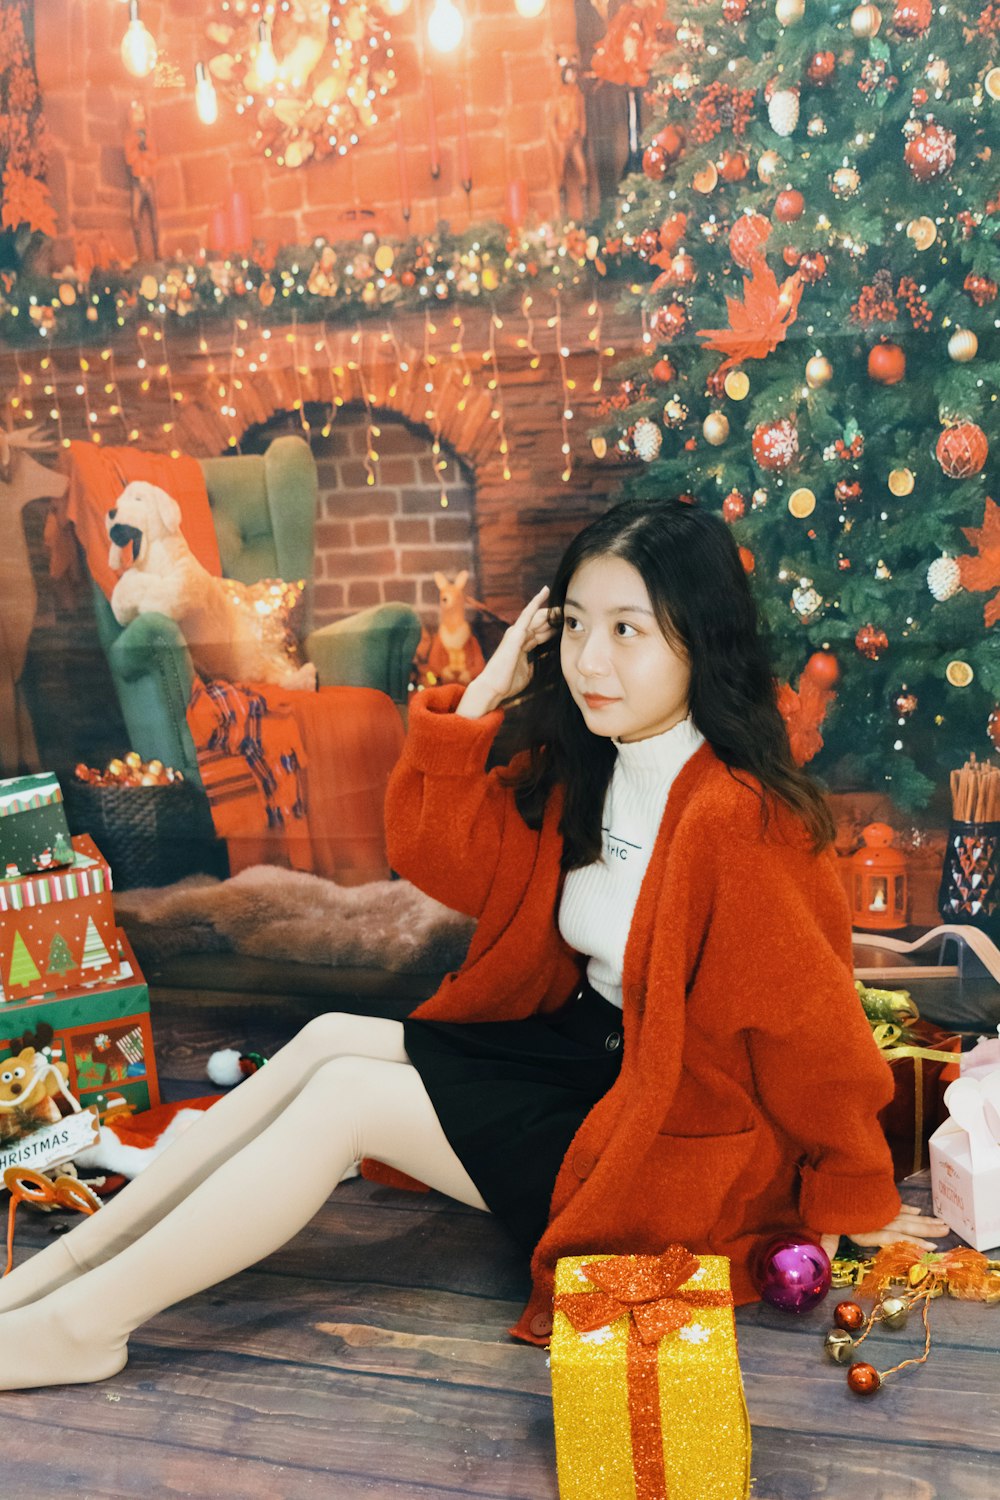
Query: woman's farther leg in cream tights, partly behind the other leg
{"points": [[206, 1145]]}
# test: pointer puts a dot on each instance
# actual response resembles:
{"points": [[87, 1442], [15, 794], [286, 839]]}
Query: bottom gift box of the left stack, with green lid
{"points": [[101, 1034]]}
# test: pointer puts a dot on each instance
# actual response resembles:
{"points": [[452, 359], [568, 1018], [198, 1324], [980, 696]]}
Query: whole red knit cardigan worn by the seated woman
{"points": [[750, 1084]]}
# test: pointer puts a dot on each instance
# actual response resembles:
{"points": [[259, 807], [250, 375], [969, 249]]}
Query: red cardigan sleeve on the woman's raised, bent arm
{"points": [[445, 812]]}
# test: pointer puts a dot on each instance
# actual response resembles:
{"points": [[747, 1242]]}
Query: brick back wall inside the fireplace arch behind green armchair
{"points": [[386, 542]]}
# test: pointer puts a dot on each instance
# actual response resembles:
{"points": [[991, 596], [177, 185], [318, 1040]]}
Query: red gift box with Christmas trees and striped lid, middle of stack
{"points": [[58, 926]]}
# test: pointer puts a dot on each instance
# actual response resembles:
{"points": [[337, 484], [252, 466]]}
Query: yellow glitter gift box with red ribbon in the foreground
{"points": [[645, 1379]]}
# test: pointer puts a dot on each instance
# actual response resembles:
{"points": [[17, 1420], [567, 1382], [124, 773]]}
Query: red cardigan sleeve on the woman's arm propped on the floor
{"points": [[816, 1069]]}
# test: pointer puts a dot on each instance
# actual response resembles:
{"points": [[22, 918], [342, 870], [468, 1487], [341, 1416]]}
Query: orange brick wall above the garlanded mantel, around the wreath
{"points": [[506, 67]]}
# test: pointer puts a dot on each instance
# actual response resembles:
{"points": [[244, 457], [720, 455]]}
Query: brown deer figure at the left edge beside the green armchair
{"points": [[22, 481]]}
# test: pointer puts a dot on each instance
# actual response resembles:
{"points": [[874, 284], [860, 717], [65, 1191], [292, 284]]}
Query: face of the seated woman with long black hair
{"points": [[624, 676]]}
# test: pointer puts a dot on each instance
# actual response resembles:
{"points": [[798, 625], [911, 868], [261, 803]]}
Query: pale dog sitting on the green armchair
{"points": [[166, 578]]}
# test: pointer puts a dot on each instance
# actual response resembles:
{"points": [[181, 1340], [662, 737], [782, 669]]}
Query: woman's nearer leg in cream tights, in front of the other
{"points": [[250, 1207]]}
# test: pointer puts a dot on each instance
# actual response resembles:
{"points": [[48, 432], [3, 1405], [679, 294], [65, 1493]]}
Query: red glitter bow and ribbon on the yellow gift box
{"points": [[648, 1291]]}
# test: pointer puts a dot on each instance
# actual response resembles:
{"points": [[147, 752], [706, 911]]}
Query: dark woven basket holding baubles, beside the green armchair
{"points": [[149, 835]]}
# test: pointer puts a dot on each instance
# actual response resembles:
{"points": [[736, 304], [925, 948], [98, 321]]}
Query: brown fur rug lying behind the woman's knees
{"points": [[299, 919]]}
